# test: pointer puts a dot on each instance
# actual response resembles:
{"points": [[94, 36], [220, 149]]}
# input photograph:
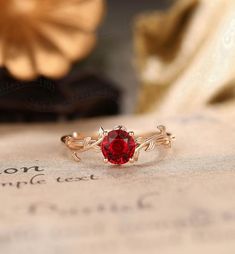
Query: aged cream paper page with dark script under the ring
{"points": [[183, 203]]}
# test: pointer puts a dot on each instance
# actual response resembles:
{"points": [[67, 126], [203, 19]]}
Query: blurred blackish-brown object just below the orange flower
{"points": [[76, 96]]}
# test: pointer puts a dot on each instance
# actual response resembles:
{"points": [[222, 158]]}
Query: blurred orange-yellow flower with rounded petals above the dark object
{"points": [[43, 37]]}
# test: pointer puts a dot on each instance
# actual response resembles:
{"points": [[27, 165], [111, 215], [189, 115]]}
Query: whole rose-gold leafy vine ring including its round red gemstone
{"points": [[118, 146]]}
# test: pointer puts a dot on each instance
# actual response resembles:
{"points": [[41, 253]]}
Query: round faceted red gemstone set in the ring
{"points": [[118, 146]]}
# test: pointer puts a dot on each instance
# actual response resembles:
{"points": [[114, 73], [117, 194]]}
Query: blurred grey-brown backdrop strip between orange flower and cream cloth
{"points": [[118, 32]]}
